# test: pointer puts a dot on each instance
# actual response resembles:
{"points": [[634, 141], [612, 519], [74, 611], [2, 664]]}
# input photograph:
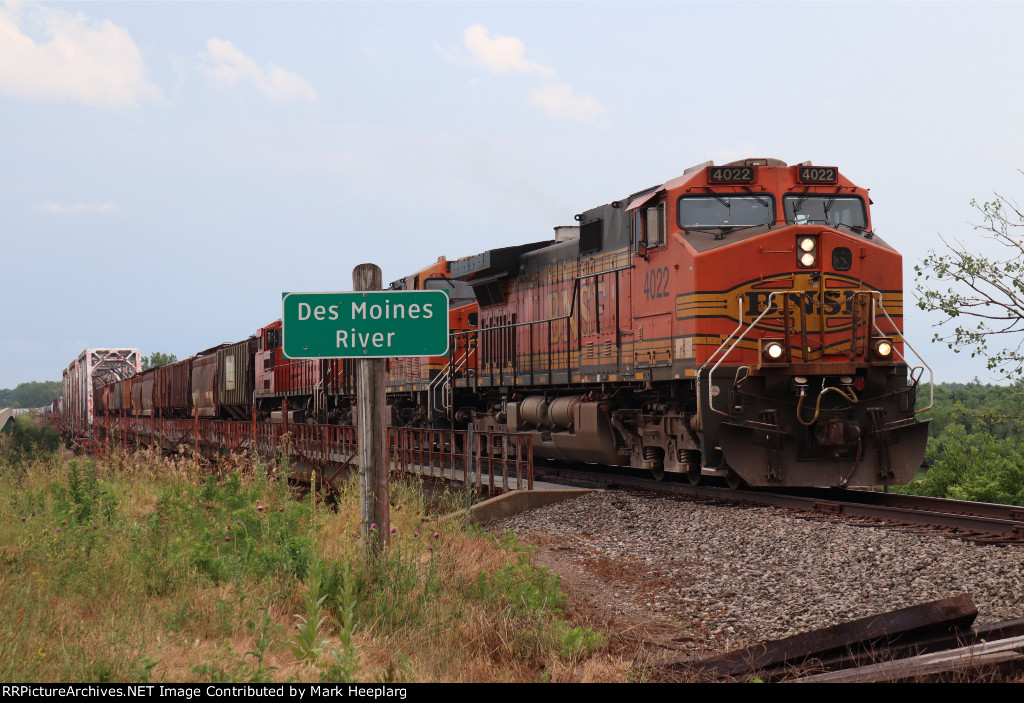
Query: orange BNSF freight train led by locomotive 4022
{"points": [[742, 322]]}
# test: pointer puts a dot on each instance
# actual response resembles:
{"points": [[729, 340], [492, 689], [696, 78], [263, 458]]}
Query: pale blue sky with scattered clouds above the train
{"points": [[168, 169]]}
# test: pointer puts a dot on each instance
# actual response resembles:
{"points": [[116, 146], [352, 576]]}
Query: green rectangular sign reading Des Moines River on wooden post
{"points": [[365, 325]]}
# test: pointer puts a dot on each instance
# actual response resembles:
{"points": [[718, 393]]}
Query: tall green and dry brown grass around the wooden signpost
{"points": [[142, 568]]}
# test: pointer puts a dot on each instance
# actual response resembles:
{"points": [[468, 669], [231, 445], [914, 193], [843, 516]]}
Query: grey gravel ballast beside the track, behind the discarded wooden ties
{"points": [[735, 576]]}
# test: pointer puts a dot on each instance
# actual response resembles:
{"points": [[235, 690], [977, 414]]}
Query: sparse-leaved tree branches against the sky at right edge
{"points": [[982, 296]]}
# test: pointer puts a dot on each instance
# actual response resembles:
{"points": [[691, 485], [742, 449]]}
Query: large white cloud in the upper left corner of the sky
{"points": [[72, 58]]}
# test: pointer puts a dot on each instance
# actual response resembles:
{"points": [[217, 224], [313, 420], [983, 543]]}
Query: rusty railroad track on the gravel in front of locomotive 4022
{"points": [[979, 522]]}
